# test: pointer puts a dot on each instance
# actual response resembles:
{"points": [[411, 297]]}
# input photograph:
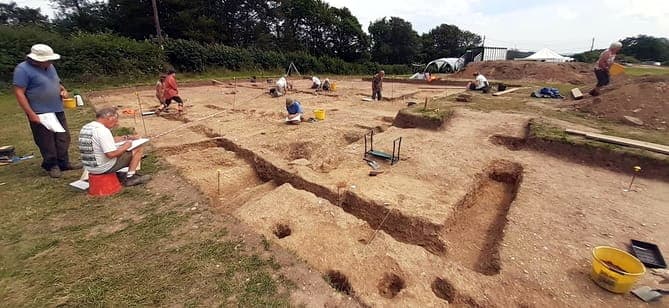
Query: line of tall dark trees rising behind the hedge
{"points": [[311, 26]]}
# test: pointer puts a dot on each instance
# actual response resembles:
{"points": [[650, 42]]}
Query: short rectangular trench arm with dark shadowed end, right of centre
{"points": [[476, 228]]}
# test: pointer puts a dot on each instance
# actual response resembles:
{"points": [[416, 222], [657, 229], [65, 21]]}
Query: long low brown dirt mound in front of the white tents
{"points": [[573, 72]]}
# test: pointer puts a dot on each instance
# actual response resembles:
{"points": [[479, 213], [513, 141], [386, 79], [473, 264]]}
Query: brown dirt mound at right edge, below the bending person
{"points": [[643, 98]]}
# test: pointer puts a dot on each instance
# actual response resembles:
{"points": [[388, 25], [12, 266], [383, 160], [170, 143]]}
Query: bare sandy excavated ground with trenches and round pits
{"points": [[458, 220]]}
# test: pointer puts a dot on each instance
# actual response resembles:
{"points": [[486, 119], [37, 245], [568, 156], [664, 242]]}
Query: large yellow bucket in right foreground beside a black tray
{"points": [[615, 270]]}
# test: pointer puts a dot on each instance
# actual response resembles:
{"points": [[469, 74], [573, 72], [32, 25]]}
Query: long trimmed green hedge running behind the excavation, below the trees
{"points": [[91, 57]]}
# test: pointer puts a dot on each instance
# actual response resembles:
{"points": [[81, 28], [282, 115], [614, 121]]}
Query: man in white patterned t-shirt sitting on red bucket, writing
{"points": [[99, 153]]}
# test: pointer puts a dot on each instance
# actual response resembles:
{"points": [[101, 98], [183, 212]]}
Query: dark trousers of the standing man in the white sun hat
{"points": [[53, 146]]}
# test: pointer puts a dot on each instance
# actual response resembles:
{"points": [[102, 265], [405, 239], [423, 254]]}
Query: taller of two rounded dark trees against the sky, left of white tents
{"points": [[393, 41]]}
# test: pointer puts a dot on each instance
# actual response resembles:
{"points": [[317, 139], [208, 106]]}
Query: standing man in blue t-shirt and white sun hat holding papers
{"points": [[40, 94]]}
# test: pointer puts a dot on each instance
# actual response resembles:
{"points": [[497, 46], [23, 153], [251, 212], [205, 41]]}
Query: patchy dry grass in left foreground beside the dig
{"points": [[141, 247]]}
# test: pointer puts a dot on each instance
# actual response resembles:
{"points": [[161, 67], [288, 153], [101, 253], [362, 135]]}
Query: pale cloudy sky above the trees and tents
{"points": [[566, 26]]}
